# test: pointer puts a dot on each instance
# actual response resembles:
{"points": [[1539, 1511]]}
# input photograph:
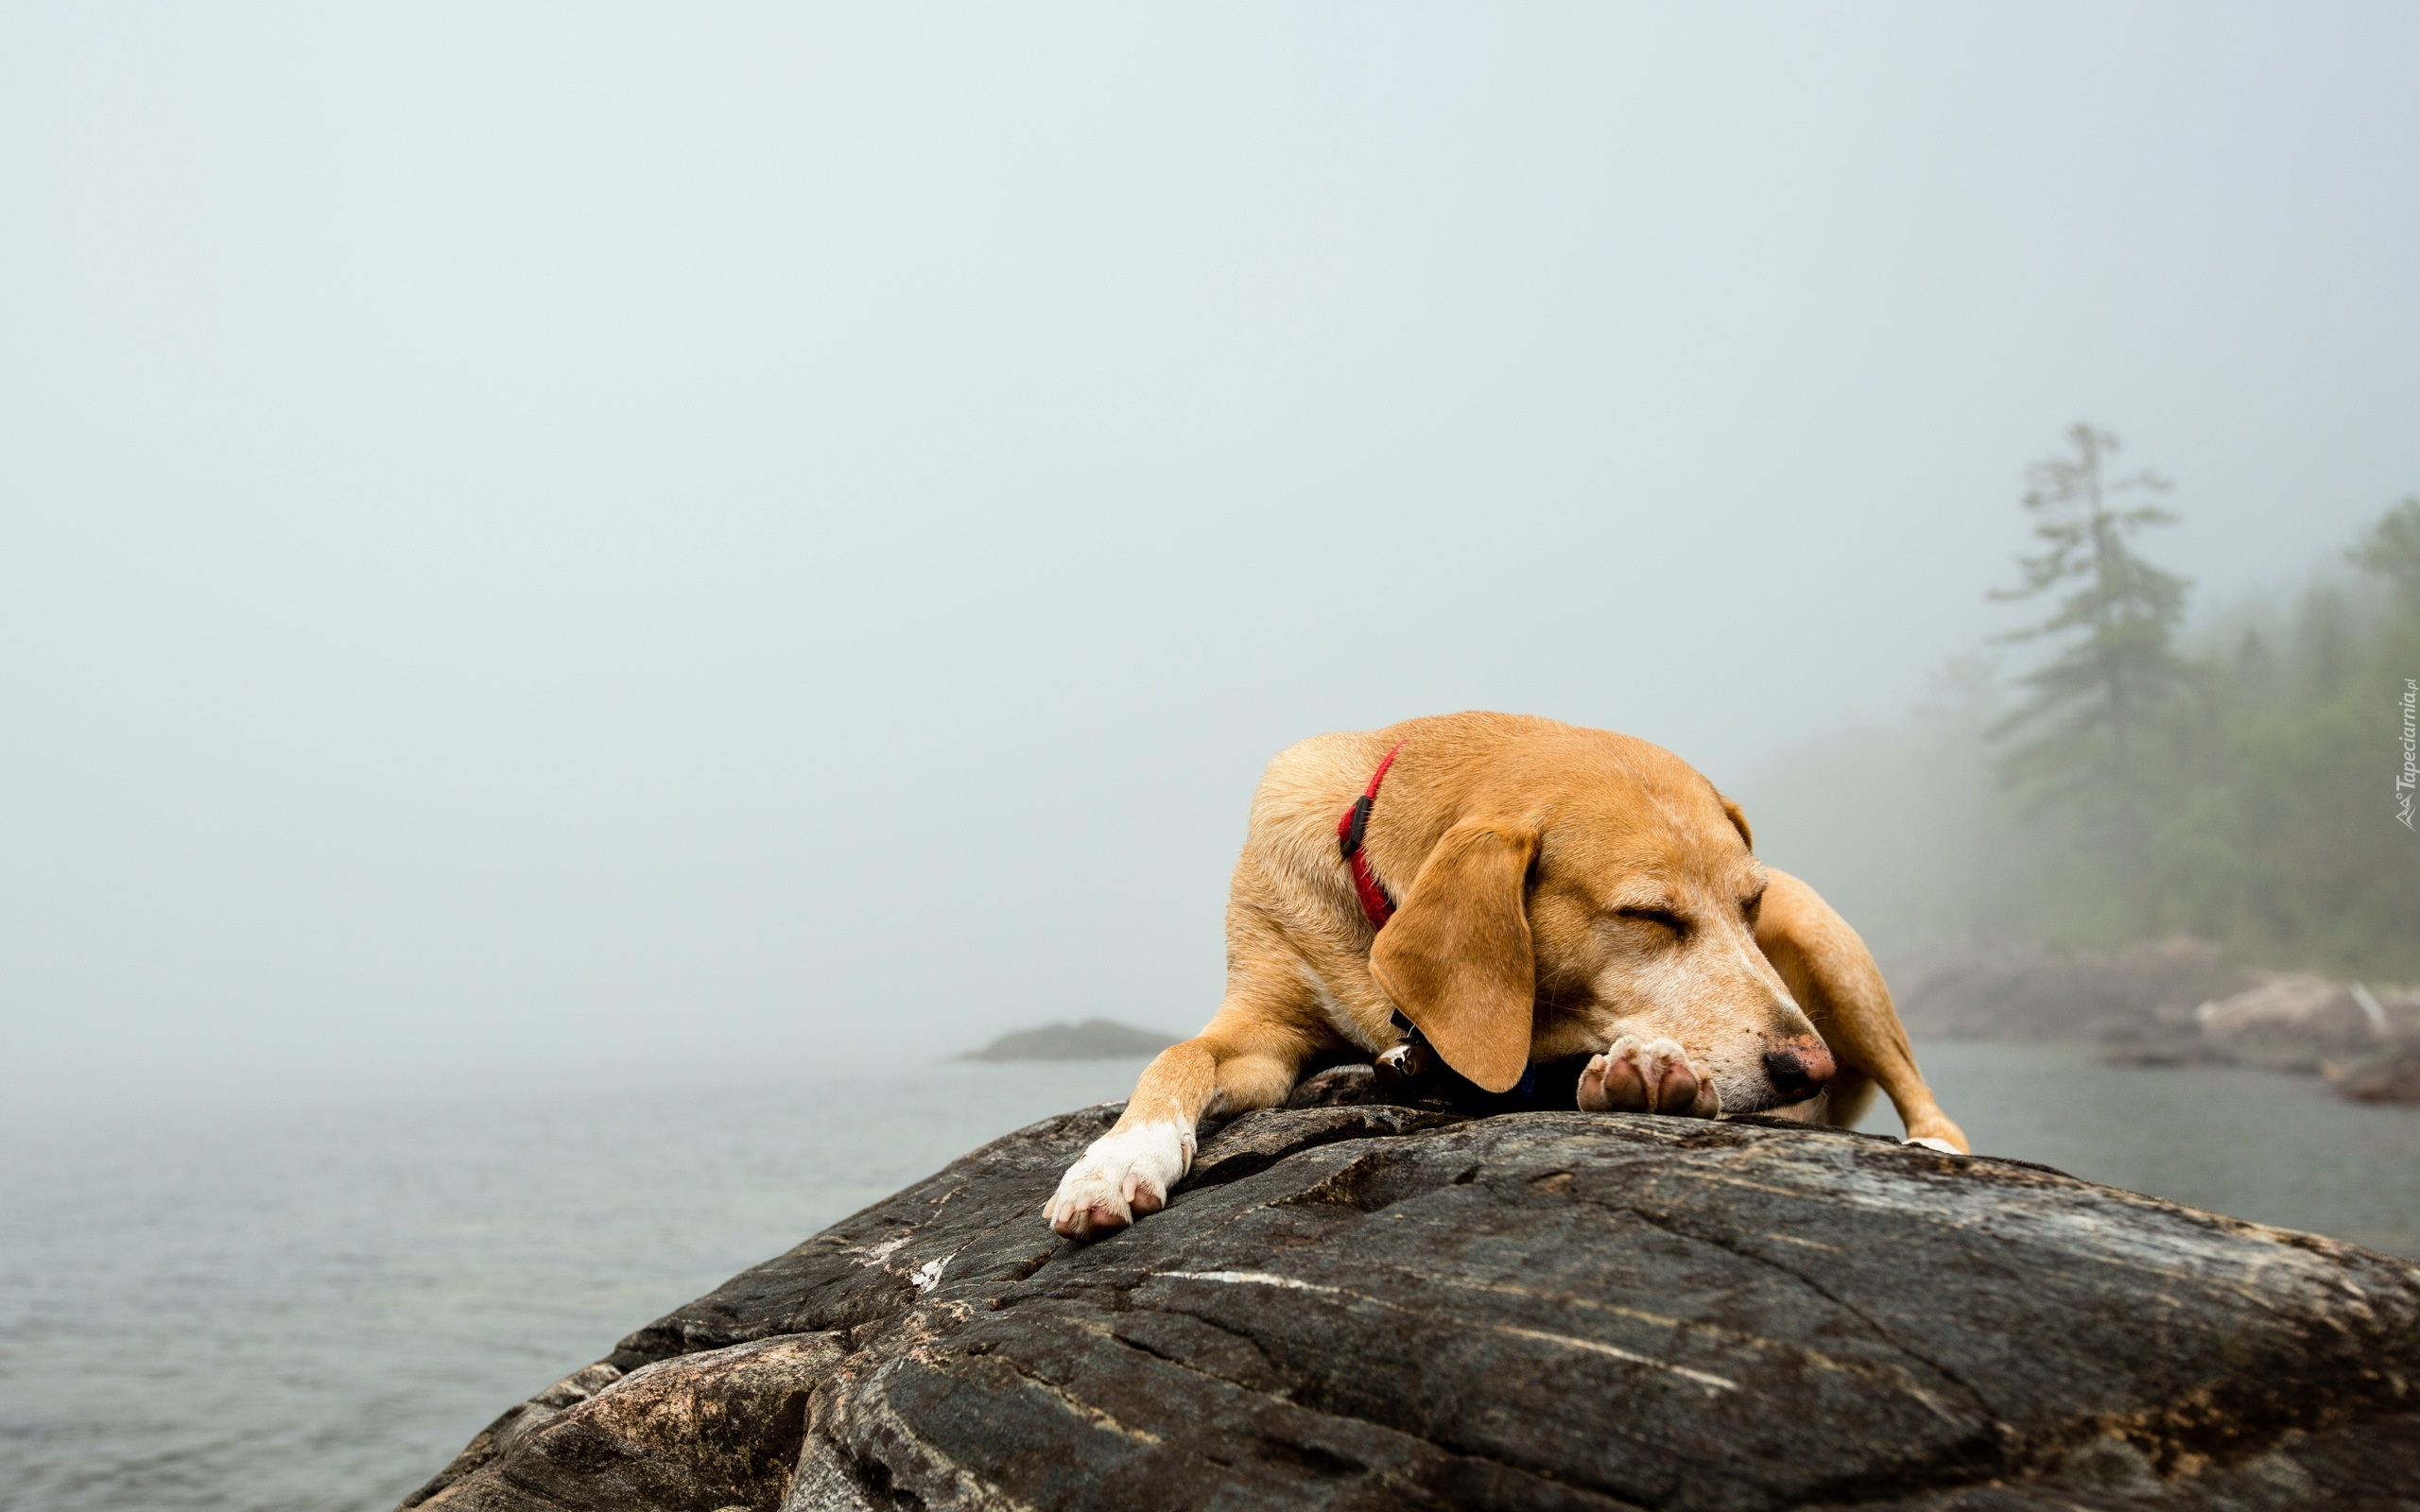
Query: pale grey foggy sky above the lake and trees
{"points": [[705, 538]]}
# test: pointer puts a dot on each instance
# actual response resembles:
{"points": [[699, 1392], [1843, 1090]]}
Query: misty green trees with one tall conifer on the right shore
{"points": [[2119, 771]]}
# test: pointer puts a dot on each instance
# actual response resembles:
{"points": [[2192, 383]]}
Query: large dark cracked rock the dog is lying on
{"points": [[1407, 1308]]}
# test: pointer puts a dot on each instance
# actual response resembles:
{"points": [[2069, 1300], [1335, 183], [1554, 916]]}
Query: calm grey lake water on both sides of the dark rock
{"points": [[316, 1310]]}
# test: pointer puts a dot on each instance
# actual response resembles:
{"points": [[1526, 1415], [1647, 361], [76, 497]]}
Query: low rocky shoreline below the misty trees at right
{"points": [[2174, 1003]]}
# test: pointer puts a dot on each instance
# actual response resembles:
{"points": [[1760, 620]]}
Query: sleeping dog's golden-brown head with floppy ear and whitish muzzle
{"points": [[1586, 889]]}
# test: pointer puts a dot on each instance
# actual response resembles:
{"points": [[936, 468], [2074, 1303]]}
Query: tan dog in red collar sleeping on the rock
{"points": [[1565, 894]]}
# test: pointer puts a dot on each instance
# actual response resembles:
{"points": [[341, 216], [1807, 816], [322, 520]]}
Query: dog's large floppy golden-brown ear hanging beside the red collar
{"points": [[1458, 954]]}
